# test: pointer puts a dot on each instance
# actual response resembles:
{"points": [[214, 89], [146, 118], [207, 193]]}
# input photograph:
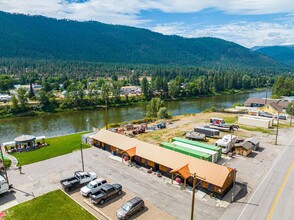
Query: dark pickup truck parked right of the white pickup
{"points": [[105, 193]]}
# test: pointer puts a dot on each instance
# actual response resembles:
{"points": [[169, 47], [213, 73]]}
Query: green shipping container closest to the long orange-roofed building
{"points": [[187, 151]]}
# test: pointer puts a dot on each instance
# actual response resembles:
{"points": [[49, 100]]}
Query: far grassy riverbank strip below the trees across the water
{"points": [[140, 102]]}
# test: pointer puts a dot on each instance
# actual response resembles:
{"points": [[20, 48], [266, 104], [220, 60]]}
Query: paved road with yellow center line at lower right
{"points": [[274, 197]]}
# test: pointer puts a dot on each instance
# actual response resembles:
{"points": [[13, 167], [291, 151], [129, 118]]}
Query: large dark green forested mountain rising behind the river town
{"points": [[37, 37]]}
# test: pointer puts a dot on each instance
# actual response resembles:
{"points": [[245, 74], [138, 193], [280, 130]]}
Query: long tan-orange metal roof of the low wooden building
{"points": [[212, 173]]}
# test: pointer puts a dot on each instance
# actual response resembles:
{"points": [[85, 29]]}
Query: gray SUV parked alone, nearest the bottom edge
{"points": [[130, 208]]}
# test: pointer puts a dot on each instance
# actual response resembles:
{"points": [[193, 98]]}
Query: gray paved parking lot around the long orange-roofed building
{"points": [[162, 199]]}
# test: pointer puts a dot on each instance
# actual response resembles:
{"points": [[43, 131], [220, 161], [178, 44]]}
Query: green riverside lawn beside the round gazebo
{"points": [[56, 146]]}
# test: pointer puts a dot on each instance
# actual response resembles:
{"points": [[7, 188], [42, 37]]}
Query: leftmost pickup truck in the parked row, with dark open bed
{"points": [[78, 179]]}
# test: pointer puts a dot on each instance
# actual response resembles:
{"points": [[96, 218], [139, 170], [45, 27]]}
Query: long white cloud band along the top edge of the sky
{"points": [[128, 11]]}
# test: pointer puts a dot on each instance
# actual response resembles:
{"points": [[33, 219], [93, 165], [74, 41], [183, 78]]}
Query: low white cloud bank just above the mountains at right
{"points": [[244, 33]]}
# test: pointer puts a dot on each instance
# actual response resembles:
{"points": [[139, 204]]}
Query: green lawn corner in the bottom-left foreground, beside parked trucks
{"points": [[53, 205]]}
